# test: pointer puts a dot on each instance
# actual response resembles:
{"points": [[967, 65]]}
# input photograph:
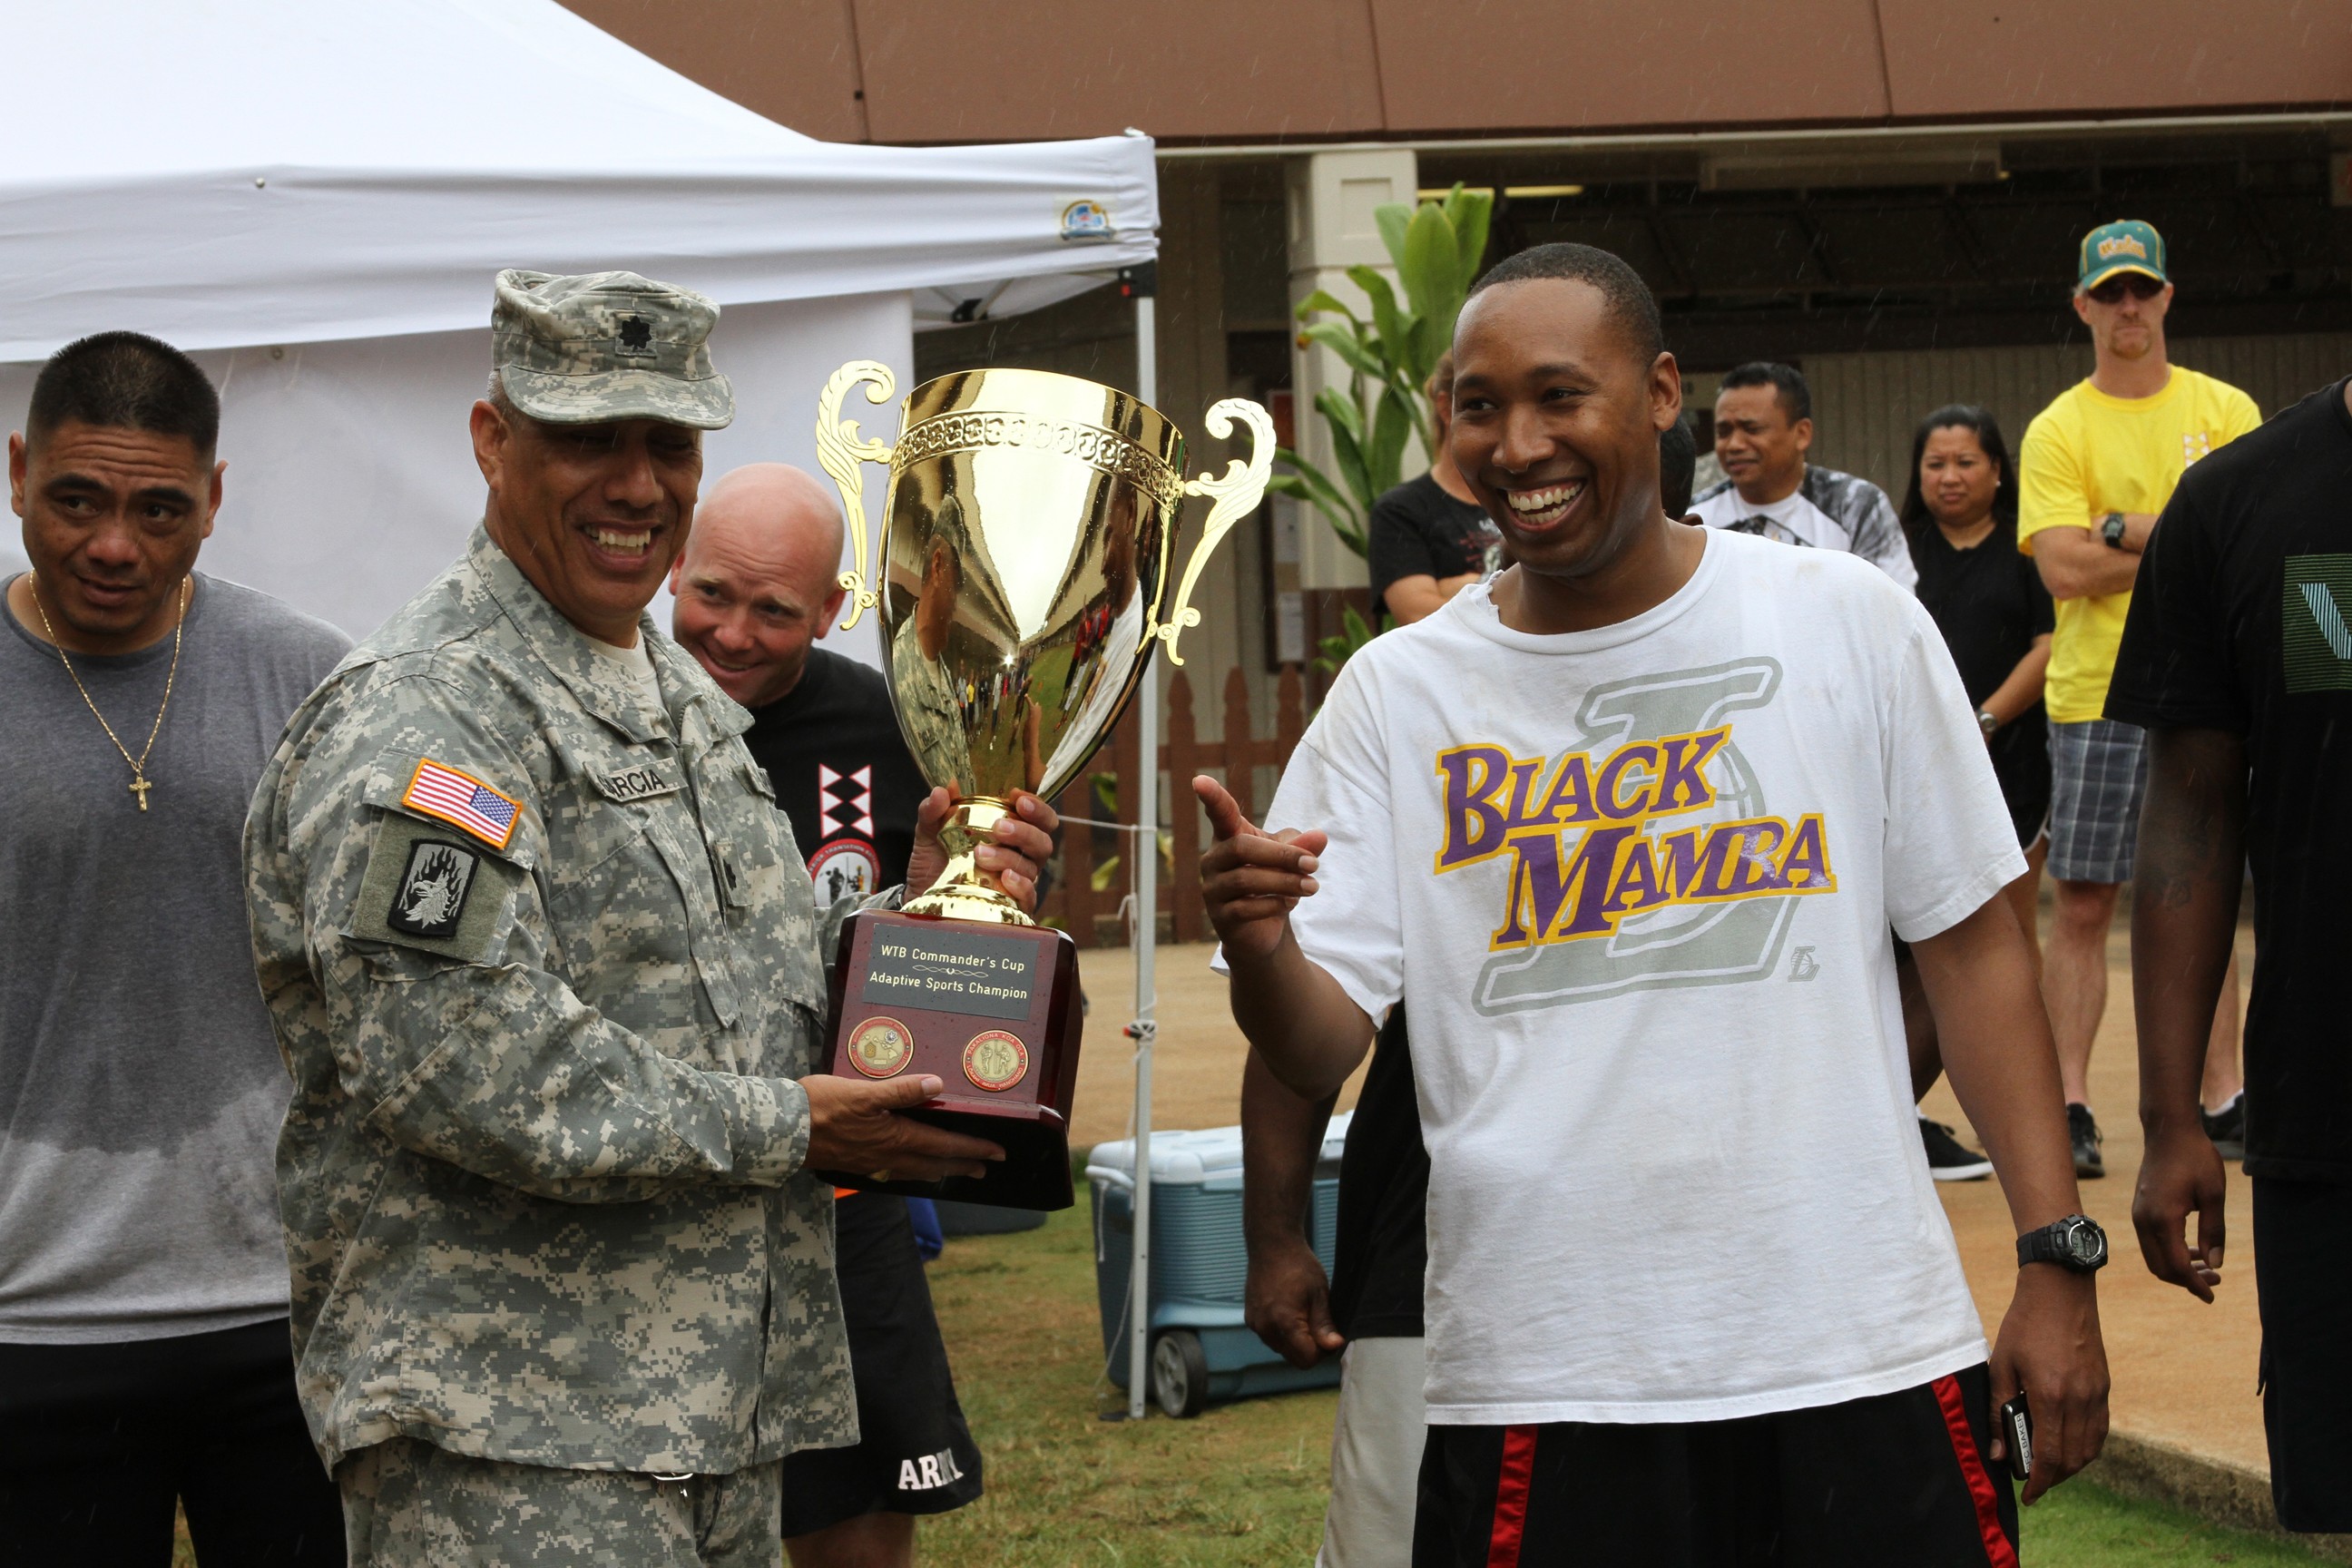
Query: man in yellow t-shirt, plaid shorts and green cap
{"points": [[2097, 469]]}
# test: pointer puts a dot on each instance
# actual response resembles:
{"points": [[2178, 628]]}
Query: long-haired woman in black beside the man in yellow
{"points": [[1960, 518]]}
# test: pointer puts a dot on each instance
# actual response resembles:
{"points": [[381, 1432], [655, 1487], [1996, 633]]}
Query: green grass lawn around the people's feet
{"points": [[1245, 1482]]}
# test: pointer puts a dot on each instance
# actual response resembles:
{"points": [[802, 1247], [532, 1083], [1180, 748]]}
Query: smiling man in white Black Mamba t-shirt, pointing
{"points": [[1650, 805]]}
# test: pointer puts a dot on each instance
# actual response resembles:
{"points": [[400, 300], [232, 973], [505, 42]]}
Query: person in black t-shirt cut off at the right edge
{"points": [[2238, 664]]}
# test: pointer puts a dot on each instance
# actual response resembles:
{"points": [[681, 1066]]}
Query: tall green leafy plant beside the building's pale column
{"points": [[1438, 250]]}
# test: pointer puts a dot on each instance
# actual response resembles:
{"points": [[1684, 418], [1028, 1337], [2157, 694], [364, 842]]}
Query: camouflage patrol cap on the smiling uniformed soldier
{"points": [[580, 351]]}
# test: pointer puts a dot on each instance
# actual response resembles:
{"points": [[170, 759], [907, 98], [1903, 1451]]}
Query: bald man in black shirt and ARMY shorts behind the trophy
{"points": [[756, 589]]}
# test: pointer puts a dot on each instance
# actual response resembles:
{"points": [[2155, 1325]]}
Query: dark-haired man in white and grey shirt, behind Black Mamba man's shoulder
{"points": [[1763, 434]]}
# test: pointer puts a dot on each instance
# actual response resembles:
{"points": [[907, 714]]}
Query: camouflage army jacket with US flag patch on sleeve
{"points": [[544, 965]]}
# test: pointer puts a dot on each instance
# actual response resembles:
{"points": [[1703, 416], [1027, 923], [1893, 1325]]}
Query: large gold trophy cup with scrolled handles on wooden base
{"points": [[1022, 579]]}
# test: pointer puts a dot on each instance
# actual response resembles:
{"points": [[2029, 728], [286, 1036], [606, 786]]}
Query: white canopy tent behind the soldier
{"points": [[314, 199]]}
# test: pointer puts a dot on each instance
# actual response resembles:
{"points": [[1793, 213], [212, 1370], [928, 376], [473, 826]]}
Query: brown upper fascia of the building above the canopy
{"points": [[1210, 72]]}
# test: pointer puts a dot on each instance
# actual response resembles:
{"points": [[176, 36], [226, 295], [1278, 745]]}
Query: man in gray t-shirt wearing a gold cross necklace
{"points": [[145, 1351]]}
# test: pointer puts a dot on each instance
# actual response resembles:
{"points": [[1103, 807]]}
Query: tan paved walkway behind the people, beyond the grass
{"points": [[2184, 1372]]}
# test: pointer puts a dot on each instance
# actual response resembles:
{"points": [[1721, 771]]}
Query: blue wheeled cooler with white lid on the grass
{"points": [[1203, 1346]]}
